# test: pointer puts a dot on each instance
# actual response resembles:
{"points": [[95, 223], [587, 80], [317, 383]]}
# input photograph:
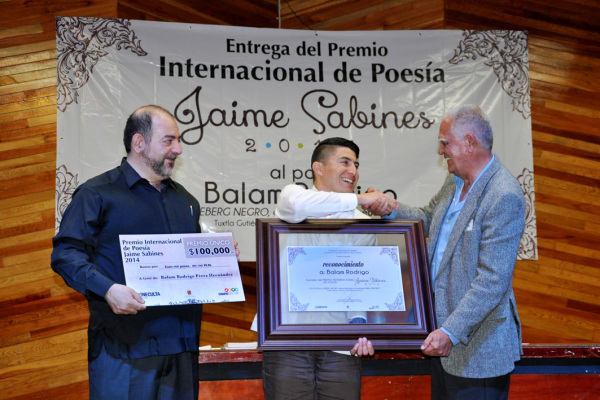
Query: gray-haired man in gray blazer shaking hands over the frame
{"points": [[474, 225]]}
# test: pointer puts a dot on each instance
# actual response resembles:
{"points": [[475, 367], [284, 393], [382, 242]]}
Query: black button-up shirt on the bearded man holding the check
{"points": [[88, 257]]}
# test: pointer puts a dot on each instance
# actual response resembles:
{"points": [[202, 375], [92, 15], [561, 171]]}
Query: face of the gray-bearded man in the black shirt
{"points": [[159, 155]]}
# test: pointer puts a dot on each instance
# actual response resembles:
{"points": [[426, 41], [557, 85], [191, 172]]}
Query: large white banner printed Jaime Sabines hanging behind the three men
{"points": [[252, 103]]}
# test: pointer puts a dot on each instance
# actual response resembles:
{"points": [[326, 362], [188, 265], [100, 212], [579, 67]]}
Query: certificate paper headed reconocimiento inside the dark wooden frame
{"points": [[344, 278]]}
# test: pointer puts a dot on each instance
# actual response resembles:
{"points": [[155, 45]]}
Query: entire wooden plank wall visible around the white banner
{"points": [[43, 323]]}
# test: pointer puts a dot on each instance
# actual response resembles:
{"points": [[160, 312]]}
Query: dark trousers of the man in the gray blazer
{"points": [[449, 387]]}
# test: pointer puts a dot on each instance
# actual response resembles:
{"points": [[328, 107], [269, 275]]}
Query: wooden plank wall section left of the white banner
{"points": [[43, 347]]}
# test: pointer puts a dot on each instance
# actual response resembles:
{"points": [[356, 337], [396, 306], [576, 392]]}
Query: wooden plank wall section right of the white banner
{"points": [[564, 51]]}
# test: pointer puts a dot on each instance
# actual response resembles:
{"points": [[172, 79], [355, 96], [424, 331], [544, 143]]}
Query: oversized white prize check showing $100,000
{"points": [[178, 269]]}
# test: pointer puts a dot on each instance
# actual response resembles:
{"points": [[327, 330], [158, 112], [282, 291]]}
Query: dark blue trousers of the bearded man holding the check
{"points": [[171, 377]]}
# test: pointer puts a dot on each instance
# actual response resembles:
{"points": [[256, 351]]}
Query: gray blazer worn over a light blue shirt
{"points": [[474, 299]]}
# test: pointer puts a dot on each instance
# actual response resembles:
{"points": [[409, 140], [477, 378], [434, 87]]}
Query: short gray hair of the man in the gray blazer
{"points": [[471, 118]]}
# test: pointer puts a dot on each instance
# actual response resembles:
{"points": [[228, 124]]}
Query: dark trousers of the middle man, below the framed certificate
{"points": [[310, 375]]}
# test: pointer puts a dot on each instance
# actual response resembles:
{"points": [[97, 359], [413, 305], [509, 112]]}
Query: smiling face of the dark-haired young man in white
{"points": [[338, 172]]}
